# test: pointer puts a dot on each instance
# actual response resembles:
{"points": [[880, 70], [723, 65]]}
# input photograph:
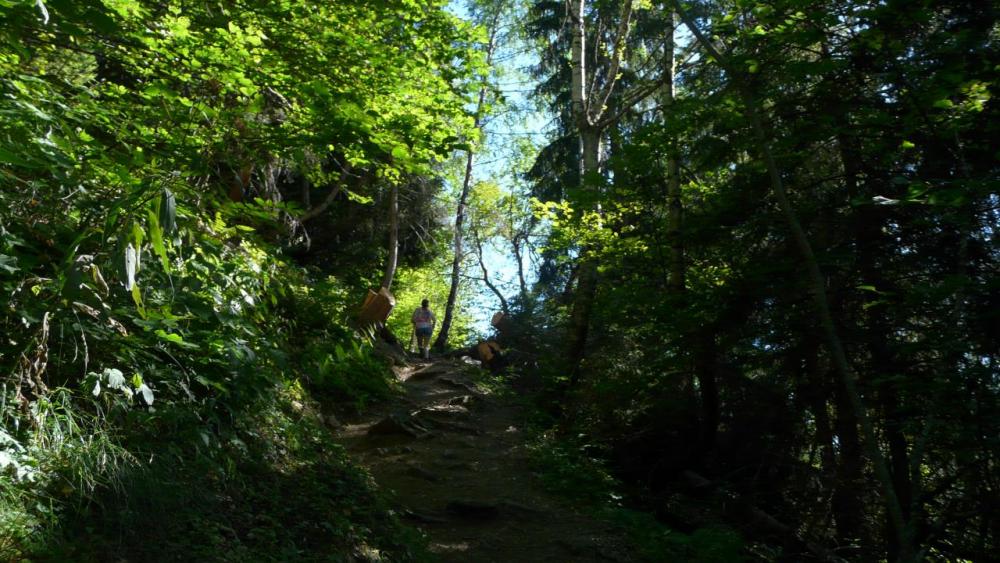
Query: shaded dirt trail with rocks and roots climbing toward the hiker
{"points": [[454, 456]]}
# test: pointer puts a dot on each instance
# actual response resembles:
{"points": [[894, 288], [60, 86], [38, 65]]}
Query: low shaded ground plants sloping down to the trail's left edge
{"points": [[273, 487]]}
